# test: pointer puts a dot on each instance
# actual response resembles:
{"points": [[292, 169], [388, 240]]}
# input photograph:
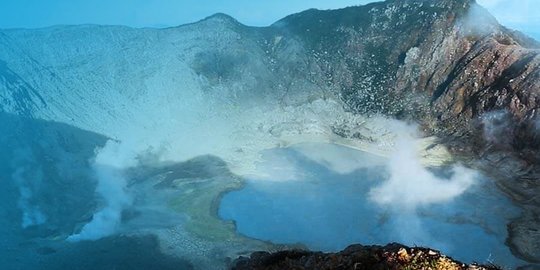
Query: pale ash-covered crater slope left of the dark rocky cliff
{"points": [[212, 87]]}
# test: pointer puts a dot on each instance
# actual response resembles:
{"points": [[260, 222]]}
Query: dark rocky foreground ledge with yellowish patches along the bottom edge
{"points": [[357, 257]]}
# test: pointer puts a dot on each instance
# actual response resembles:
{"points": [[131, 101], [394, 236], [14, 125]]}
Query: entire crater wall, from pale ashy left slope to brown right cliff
{"points": [[447, 64]]}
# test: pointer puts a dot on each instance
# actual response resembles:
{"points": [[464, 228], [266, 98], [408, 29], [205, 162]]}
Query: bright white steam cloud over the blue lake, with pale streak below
{"points": [[412, 186]]}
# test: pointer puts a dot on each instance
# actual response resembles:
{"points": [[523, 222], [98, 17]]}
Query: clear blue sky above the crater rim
{"points": [[523, 15]]}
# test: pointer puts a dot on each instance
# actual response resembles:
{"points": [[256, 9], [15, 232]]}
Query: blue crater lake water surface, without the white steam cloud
{"points": [[326, 210]]}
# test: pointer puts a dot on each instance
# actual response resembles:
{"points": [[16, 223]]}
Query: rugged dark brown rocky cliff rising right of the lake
{"points": [[450, 65]]}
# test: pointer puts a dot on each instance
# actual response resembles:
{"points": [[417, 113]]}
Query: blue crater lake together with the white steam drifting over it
{"points": [[450, 208]]}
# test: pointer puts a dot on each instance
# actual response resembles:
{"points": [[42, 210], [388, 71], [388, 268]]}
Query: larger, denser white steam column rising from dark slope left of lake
{"points": [[109, 166]]}
